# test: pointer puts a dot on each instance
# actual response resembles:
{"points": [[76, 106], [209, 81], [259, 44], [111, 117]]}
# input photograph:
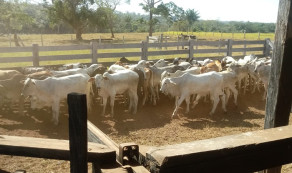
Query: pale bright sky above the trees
{"points": [[265, 11]]}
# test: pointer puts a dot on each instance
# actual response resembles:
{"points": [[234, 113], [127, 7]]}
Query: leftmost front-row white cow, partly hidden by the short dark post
{"points": [[50, 91]]}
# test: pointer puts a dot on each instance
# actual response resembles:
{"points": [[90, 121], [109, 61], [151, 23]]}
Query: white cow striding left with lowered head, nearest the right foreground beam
{"points": [[188, 84]]}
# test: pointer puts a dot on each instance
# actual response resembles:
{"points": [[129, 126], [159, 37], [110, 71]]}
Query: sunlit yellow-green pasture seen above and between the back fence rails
{"points": [[69, 39]]}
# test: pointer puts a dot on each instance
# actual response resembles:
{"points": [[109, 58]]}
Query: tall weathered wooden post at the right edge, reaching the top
{"points": [[279, 95]]}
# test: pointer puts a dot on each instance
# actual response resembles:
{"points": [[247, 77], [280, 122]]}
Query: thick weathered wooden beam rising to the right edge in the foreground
{"points": [[244, 152]]}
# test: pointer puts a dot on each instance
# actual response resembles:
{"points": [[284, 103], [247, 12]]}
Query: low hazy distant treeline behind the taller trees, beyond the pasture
{"points": [[39, 22]]}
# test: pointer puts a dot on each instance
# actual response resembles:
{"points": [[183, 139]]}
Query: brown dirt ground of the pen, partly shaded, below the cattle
{"points": [[151, 126]]}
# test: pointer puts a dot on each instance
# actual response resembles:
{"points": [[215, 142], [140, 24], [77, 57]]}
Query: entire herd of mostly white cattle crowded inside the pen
{"points": [[184, 79]]}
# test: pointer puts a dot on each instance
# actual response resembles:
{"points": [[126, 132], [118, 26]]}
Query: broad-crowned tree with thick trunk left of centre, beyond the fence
{"points": [[76, 13]]}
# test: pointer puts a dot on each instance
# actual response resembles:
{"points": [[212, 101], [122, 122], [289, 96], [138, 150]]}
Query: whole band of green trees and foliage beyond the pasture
{"points": [[85, 16]]}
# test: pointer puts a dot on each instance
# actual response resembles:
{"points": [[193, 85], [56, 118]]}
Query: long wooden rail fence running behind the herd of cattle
{"points": [[144, 50]]}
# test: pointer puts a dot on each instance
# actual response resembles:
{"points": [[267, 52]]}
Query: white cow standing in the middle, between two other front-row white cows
{"points": [[123, 81]]}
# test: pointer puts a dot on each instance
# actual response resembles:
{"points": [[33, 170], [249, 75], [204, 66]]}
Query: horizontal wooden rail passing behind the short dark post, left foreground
{"points": [[52, 149]]}
